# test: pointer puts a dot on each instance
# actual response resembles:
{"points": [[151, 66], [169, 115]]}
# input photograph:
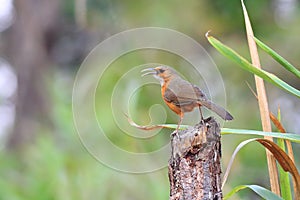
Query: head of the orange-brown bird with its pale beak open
{"points": [[162, 73]]}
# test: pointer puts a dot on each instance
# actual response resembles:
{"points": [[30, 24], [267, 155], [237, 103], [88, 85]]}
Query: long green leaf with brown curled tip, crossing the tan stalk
{"points": [[243, 63]]}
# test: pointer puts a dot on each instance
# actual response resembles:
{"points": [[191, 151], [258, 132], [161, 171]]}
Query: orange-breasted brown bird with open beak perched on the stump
{"points": [[182, 96]]}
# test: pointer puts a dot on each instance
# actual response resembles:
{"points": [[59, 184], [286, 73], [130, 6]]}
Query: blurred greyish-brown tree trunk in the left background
{"points": [[28, 53]]}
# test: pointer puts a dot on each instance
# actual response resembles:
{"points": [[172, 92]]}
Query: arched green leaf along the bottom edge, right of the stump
{"points": [[262, 192]]}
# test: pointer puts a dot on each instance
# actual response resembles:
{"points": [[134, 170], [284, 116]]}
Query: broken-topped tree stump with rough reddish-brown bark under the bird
{"points": [[194, 167]]}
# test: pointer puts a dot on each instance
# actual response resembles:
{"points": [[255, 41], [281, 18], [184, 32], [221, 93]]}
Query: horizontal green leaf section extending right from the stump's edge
{"points": [[287, 136]]}
